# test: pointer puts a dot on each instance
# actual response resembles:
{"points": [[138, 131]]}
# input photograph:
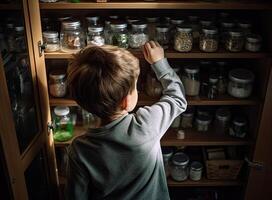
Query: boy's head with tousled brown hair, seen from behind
{"points": [[103, 80]]}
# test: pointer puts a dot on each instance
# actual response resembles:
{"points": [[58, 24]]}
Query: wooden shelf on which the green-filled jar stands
{"points": [[192, 138]]}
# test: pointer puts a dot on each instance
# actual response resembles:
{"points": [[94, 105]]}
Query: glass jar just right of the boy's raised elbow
{"points": [[190, 80]]}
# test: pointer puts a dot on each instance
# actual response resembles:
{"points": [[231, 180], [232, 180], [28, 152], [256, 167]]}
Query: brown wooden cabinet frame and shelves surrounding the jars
{"points": [[257, 107]]}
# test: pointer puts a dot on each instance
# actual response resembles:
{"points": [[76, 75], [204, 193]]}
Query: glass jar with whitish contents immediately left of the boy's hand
{"points": [[138, 35]]}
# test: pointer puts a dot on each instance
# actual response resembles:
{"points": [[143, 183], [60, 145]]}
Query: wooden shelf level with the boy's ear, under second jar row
{"points": [[196, 101]]}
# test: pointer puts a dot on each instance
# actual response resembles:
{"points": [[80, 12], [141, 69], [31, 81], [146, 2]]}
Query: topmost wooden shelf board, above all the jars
{"points": [[160, 4]]}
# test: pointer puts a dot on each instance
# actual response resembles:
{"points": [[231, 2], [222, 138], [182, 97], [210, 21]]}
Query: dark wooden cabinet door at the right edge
{"points": [[260, 178]]}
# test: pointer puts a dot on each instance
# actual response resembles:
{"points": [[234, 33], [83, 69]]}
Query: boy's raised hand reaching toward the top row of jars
{"points": [[153, 52]]}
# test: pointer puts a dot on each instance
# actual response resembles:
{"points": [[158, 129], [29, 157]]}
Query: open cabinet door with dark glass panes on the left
{"points": [[26, 147]]}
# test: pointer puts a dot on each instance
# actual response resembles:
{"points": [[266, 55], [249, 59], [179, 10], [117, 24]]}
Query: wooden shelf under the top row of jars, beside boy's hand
{"points": [[196, 54]]}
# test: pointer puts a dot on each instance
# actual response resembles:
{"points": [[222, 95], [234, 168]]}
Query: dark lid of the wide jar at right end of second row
{"points": [[241, 75]]}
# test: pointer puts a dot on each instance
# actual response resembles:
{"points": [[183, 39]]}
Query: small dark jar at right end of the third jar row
{"points": [[239, 127]]}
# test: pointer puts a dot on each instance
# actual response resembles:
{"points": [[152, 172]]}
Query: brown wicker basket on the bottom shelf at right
{"points": [[222, 169]]}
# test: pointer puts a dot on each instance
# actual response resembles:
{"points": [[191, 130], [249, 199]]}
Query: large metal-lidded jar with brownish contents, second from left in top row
{"points": [[72, 38]]}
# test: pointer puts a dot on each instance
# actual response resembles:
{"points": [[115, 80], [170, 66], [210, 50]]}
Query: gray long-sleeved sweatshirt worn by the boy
{"points": [[123, 160]]}
